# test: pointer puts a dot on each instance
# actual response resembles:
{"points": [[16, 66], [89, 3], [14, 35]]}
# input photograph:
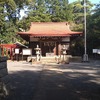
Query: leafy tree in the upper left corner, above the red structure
{"points": [[9, 17]]}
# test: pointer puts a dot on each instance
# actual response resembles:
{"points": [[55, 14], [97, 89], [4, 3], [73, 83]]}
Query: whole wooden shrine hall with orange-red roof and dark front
{"points": [[49, 36]]}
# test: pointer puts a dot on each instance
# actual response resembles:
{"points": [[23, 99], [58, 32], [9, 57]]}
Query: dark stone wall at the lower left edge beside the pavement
{"points": [[4, 79]]}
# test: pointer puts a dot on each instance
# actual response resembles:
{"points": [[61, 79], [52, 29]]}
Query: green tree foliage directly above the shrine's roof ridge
{"points": [[47, 10]]}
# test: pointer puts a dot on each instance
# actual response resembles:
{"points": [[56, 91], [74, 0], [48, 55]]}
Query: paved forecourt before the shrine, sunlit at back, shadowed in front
{"points": [[49, 81]]}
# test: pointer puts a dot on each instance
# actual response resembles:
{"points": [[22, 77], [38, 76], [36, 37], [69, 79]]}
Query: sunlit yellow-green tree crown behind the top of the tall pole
{"points": [[78, 10]]}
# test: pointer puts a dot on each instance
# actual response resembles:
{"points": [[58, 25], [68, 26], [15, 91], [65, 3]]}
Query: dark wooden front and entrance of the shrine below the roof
{"points": [[50, 46]]}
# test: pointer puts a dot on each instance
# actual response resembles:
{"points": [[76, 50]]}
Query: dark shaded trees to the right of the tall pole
{"points": [[93, 30]]}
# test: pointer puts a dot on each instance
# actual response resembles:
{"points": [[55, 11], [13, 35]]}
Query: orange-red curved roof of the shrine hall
{"points": [[49, 29]]}
